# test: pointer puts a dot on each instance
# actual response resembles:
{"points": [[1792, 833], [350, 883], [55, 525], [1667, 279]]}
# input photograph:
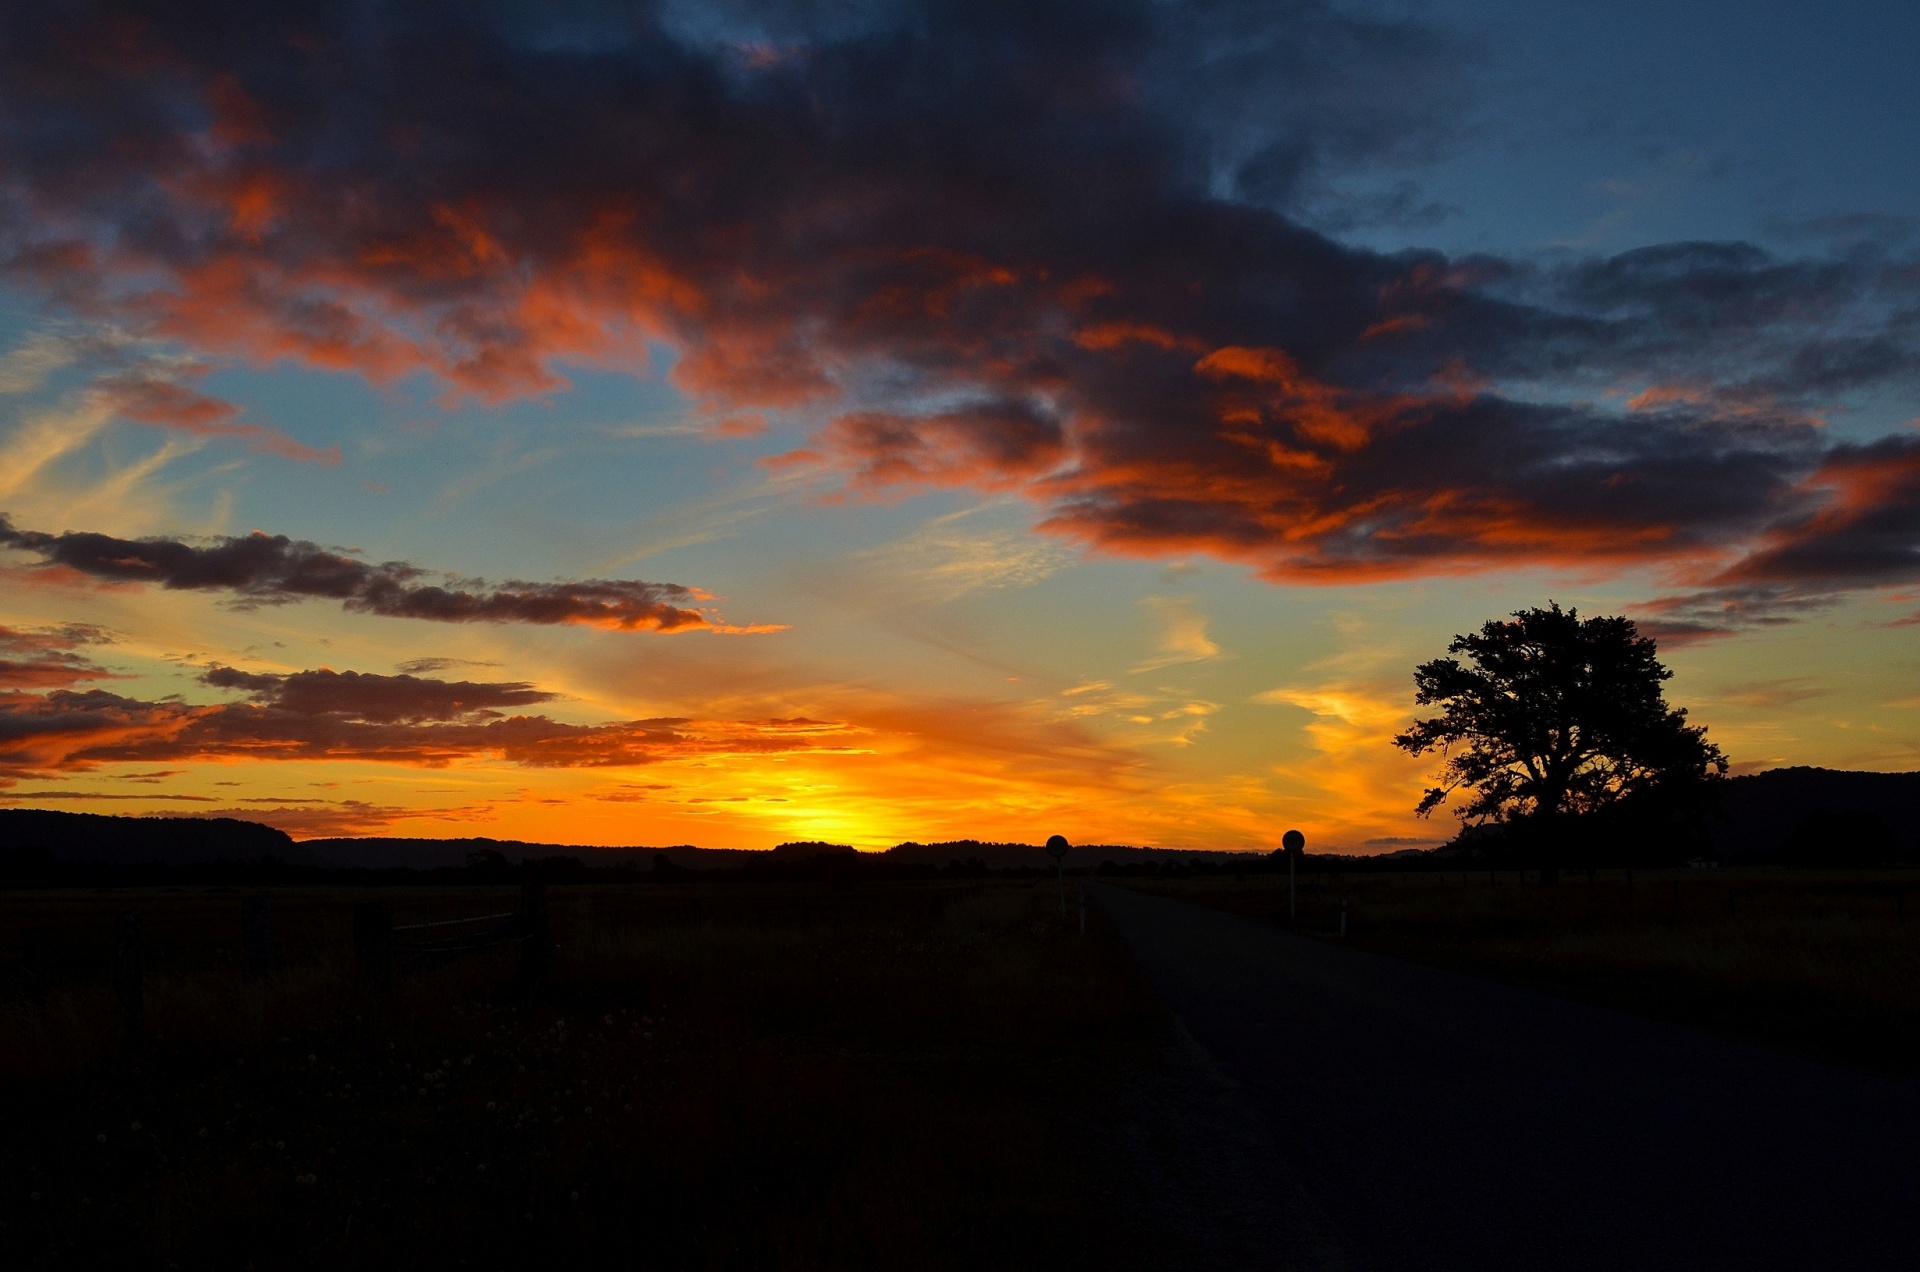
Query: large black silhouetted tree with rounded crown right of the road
{"points": [[1558, 716]]}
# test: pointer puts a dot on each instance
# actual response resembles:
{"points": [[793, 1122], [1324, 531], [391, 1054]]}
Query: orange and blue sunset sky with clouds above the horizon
{"points": [[732, 424]]}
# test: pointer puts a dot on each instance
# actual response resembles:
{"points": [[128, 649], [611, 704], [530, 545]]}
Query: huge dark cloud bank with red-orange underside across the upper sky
{"points": [[1055, 249]]}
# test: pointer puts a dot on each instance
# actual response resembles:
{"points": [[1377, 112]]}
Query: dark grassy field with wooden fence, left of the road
{"points": [[715, 1077]]}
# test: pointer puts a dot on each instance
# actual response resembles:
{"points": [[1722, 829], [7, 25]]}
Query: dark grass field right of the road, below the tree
{"points": [[1827, 964]]}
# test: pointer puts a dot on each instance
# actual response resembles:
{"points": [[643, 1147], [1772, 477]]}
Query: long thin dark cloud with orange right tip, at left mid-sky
{"points": [[274, 570]]}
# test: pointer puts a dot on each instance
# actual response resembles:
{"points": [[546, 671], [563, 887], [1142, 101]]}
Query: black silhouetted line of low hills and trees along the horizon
{"points": [[1812, 818]]}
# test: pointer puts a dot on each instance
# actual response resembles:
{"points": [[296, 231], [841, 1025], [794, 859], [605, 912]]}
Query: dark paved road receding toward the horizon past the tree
{"points": [[1443, 1121]]}
